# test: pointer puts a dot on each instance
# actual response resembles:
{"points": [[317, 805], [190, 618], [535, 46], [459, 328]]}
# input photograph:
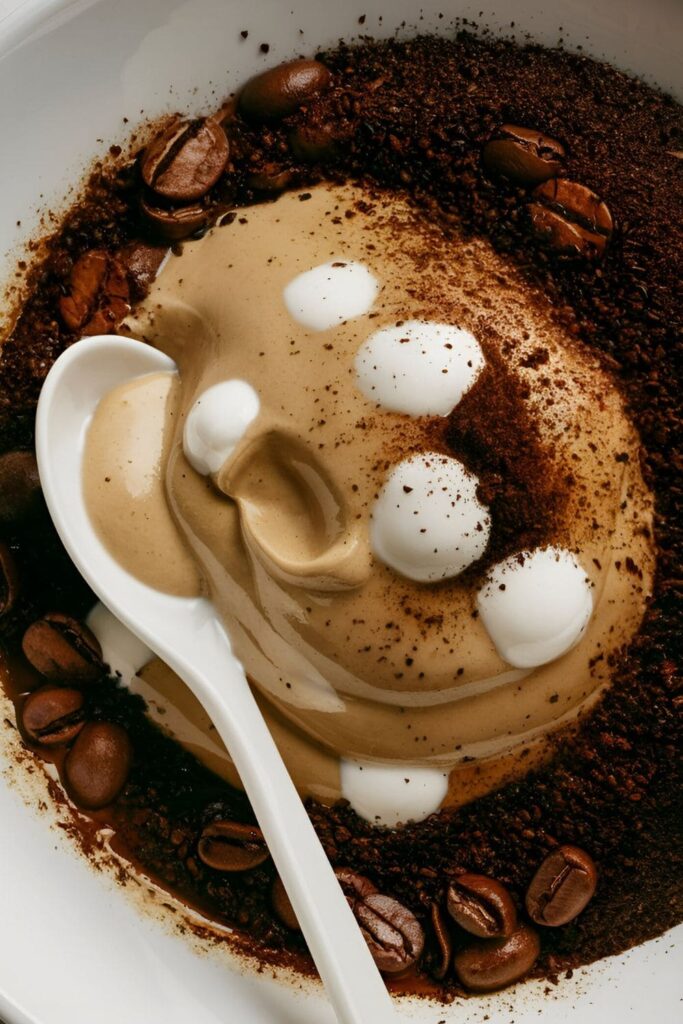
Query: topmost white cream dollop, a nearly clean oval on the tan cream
{"points": [[330, 294]]}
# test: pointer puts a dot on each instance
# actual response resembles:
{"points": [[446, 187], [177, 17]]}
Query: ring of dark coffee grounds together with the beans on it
{"points": [[573, 170]]}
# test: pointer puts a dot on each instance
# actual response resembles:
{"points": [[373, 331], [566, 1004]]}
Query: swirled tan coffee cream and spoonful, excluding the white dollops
{"points": [[351, 660]]}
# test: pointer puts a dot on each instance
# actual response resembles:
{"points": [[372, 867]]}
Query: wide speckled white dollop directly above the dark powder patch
{"points": [[418, 367]]}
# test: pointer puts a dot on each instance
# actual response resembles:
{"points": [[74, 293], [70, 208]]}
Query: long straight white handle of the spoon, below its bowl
{"points": [[354, 985]]}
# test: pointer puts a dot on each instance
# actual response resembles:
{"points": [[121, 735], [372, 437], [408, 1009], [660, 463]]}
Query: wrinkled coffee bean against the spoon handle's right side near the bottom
{"points": [[395, 936]]}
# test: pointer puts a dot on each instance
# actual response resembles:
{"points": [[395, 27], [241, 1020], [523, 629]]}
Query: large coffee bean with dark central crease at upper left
{"points": [[187, 160]]}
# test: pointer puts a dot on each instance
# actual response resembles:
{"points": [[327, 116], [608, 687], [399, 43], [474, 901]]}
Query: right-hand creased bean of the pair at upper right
{"points": [[571, 219]]}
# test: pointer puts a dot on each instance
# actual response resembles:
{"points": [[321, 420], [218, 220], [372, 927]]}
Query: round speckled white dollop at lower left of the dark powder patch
{"points": [[429, 524]]}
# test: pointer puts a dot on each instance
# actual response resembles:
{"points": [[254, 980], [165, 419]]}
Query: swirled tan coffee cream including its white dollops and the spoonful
{"points": [[301, 470]]}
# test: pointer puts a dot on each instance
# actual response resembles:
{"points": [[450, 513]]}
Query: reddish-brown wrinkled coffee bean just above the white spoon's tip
{"points": [[99, 295]]}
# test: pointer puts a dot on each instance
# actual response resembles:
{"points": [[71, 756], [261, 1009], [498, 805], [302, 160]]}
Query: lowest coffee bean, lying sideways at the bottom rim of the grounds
{"points": [[491, 964]]}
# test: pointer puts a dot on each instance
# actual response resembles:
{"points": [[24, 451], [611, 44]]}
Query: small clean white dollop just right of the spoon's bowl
{"points": [[217, 422]]}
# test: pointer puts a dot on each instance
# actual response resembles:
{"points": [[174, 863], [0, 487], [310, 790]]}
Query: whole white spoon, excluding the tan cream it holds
{"points": [[187, 634]]}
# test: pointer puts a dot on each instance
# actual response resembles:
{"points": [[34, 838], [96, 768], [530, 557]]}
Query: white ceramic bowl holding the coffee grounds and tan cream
{"points": [[75, 946]]}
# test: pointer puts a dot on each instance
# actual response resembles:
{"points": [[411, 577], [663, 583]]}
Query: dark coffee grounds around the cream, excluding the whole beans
{"points": [[415, 116]]}
